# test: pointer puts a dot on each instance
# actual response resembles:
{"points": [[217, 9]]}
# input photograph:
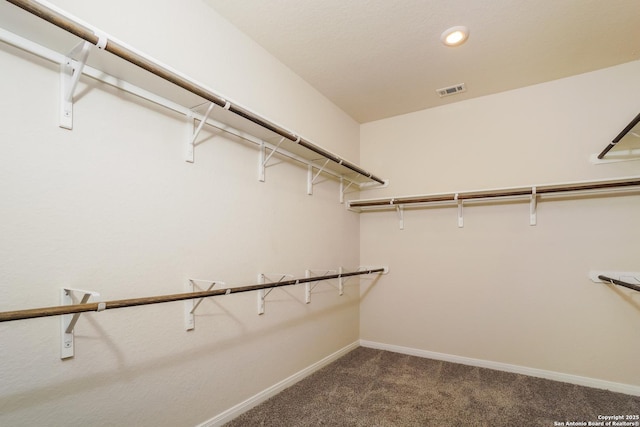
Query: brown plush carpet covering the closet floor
{"points": [[370, 387]]}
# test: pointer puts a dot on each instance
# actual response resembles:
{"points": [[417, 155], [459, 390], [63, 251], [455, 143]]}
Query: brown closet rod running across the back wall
{"points": [[507, 192]]}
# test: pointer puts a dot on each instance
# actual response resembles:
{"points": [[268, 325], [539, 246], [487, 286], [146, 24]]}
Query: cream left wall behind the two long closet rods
{"points": [[112, 207]]}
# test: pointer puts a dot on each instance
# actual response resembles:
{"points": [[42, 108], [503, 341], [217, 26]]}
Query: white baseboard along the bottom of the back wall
{"points": [[533, 372]]}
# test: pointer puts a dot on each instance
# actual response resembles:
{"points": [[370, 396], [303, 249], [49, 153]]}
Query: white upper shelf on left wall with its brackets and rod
{"points": [[127, 69]]}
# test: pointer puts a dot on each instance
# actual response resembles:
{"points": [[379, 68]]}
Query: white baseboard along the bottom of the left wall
{"points": [[255, 400]]}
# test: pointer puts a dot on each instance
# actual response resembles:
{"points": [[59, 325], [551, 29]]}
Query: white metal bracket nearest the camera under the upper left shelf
{"points": [[70, 72]]}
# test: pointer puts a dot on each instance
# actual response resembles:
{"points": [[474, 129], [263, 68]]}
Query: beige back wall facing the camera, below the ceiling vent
{"points": [[498, 289]]}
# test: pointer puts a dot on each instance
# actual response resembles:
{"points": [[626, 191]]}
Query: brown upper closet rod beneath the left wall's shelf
{"points": [[87, 34]]}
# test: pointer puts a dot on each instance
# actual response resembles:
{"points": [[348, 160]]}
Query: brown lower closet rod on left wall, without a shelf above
{"points": [[132, 302]]}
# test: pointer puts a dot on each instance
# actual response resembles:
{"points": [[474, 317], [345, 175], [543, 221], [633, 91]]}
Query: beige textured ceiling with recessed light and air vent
{"points": [[381, 58]]}
